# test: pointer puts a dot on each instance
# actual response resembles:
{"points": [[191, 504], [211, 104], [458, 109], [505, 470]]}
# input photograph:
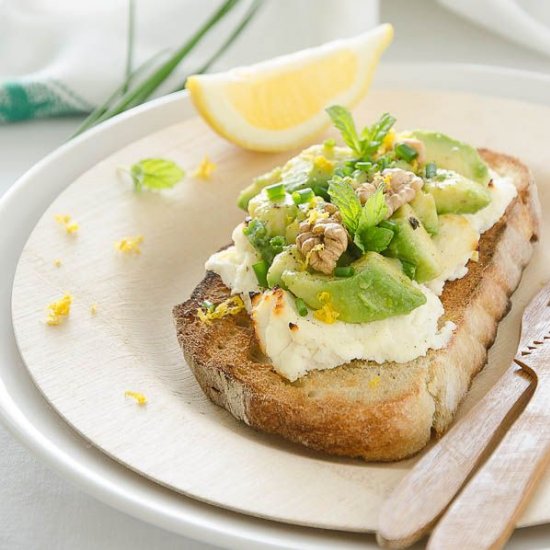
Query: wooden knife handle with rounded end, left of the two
{"points": [[424, 493]]}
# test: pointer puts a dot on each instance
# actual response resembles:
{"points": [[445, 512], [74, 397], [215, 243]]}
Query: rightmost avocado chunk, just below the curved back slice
{"points": [[455, 194]]}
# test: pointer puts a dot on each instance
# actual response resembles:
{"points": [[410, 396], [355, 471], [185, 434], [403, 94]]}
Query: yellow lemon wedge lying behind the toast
{"points": [[279, 104]]}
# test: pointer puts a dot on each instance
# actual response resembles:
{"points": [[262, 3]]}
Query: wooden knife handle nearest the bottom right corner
{"points": [[486, 511]]}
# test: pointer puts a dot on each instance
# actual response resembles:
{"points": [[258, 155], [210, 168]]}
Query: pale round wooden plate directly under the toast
{"points": [[179, 439]]}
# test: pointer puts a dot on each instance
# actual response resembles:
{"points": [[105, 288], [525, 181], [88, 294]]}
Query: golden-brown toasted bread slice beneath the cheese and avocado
{"points": [[341, 411]]}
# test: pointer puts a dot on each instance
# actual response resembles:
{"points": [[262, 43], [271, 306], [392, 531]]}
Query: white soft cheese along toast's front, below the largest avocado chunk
{"points": [[297, 344]]}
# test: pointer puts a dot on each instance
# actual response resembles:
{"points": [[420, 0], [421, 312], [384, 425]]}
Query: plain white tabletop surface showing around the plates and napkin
{"points": [[38, 509]]}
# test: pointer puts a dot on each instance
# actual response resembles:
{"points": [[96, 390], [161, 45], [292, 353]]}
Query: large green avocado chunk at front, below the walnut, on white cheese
{"points": [[377, 290]]}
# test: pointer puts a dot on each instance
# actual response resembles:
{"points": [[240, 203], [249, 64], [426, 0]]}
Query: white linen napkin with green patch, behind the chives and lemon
{"points": [[61, 57]]}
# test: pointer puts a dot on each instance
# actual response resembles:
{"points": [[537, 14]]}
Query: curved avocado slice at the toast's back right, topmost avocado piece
{"points": [[452, 154]]}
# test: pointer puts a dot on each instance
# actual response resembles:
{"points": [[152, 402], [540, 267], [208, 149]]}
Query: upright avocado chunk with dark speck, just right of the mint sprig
{"points": [[412, 244]]}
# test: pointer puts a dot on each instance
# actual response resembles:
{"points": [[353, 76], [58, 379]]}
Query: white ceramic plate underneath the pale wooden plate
{"points": [[26, 413]]}
